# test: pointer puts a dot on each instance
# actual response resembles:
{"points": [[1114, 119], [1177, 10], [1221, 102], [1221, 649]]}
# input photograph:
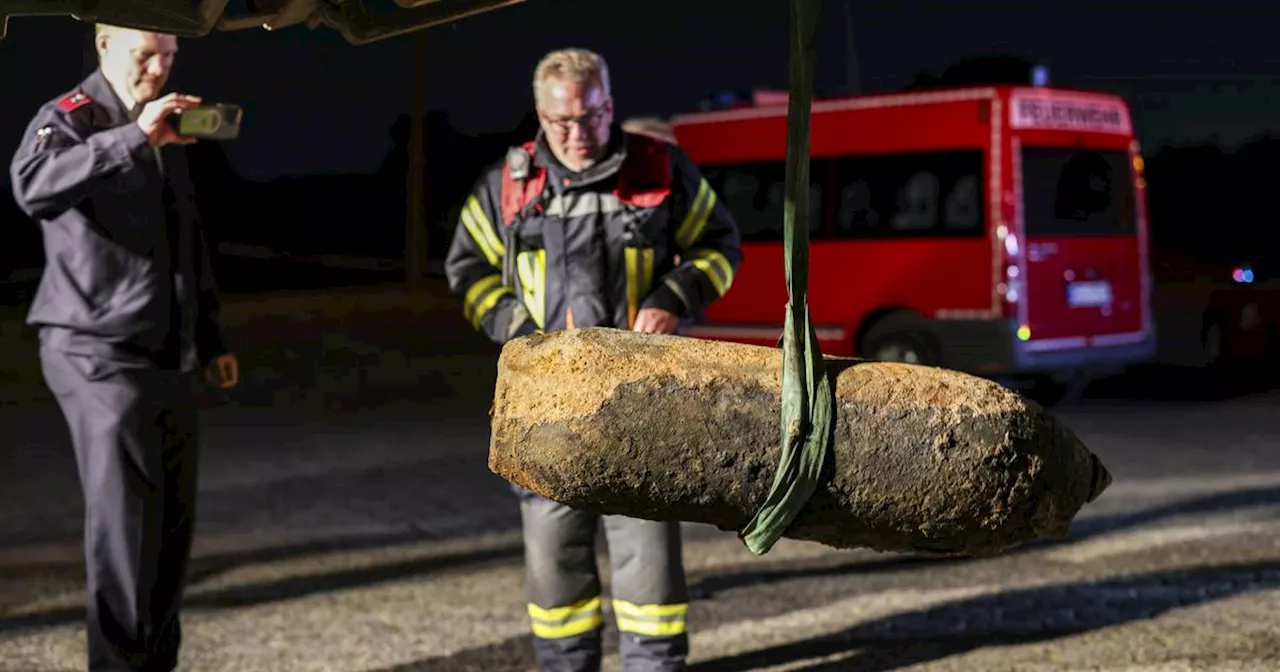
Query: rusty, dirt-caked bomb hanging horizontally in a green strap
{"points": [[669, 428]]}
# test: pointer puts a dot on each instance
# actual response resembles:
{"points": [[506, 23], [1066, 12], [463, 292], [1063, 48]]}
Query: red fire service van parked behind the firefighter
{"points": [[994, 230]]}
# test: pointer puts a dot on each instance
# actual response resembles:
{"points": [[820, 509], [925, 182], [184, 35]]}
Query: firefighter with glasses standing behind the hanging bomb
{"points": [[579, 228]]}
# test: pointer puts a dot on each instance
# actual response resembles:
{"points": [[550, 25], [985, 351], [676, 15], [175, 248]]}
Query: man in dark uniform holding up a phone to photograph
{"points": [[126, 309]]}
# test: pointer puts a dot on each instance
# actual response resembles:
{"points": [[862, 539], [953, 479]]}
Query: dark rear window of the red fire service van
{"points": [[1071, 191]]}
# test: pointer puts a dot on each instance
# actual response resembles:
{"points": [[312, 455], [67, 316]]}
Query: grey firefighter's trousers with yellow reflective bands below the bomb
{"points": [[650, 596]]}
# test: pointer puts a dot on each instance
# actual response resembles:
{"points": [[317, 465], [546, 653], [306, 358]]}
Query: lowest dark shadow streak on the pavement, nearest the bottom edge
{"points": [[953, 629]]}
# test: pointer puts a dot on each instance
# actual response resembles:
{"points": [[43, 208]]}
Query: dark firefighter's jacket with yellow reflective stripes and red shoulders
{"points": [[584, 254]]}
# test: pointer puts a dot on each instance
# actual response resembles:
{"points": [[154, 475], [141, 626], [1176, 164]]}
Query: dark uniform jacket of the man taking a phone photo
{"points": [[127, 273]]}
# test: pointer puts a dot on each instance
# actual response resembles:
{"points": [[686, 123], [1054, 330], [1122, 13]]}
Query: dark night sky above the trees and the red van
{"points": [[317, 104]]}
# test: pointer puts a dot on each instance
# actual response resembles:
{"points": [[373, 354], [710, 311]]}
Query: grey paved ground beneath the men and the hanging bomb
{"points": [[372, 540]]}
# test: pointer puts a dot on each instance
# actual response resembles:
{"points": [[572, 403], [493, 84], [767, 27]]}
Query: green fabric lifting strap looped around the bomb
{"points": [[807, 394]]}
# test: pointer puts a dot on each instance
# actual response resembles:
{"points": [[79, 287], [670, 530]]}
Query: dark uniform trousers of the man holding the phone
{"points": [[134, 431]]}
